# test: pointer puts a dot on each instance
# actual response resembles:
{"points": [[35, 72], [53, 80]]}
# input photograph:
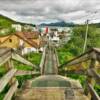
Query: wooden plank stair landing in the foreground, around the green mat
{"points": [[74, 92]]}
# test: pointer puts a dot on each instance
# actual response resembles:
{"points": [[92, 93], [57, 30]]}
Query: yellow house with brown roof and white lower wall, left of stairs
{"points": [[24, 41]]}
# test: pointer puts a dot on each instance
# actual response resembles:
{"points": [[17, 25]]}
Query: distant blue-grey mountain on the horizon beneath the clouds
{"points": [[59, 24]]}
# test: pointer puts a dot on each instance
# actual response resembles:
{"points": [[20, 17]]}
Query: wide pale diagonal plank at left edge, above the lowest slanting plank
{"points": [[6, 78]]}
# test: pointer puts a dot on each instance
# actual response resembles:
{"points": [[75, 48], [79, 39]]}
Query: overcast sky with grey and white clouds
{"points": [[38, 11]]}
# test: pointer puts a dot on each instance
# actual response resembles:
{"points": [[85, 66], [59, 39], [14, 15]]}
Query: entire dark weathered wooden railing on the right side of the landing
{"points": [[93, 77]]}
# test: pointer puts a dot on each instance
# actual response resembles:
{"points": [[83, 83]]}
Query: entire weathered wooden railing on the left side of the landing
{"points": [[6, 59]]}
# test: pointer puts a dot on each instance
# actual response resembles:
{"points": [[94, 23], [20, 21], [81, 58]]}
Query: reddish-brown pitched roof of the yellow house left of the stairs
{"points": [[28, 37]]}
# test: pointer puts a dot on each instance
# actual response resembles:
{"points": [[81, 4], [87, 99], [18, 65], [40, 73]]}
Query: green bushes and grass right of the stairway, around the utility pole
{"points": [[74, 47]]}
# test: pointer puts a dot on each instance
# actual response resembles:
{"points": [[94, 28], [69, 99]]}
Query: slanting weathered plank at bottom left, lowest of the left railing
{"points": [[11, 91]]}
